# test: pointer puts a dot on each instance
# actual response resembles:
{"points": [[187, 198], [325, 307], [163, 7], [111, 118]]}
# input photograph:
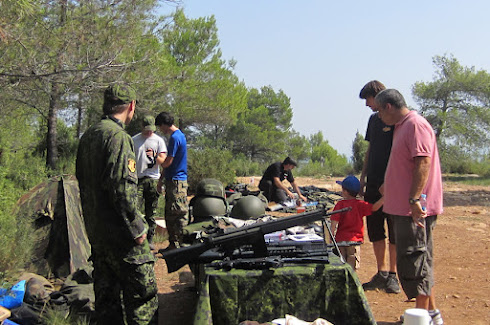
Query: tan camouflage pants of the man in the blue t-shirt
{"points": [[176, 209]]}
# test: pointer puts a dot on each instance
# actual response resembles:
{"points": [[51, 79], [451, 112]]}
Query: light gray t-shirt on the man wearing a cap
{"points": [[141, 144]]}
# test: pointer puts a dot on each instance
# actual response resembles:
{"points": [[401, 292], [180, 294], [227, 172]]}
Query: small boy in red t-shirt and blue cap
{"points": [[348, 227]]}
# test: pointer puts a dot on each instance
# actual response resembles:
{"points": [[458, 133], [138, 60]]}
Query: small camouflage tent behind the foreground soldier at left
{"points": [[61, 245]]}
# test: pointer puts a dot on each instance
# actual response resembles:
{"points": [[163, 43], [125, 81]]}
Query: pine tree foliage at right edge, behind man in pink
{"points": [[456, 103]]}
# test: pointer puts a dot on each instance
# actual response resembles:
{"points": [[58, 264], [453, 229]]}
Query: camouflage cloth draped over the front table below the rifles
{"points": [[307, 291]]}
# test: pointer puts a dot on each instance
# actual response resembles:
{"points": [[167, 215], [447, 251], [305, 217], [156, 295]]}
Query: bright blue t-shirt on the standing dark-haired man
{"points": [[177, 148]]}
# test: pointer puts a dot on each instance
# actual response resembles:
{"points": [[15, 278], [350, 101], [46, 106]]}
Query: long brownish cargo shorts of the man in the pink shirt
{"points": [[414, 255]]}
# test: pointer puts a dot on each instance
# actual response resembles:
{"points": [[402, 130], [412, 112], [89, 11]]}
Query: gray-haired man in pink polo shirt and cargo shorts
{"points": [[413, 169]]}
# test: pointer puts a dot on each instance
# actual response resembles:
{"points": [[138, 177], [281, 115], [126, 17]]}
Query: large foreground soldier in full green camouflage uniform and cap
{"points": [[124, 280]]}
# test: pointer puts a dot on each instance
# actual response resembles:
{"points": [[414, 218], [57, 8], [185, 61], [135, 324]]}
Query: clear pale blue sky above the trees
{"points": [[321, 53]]}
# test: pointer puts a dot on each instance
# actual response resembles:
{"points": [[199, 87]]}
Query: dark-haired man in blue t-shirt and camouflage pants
{"points": [[175, 174]]}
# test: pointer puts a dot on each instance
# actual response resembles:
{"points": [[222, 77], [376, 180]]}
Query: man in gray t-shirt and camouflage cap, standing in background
{"points": [[150, 151]]}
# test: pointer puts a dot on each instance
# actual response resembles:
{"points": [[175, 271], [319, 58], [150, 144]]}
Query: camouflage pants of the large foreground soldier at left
{"points": [[131, 280]]}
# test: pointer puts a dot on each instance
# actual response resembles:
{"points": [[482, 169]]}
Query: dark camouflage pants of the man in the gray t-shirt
{"points": [[148, 198]]}
